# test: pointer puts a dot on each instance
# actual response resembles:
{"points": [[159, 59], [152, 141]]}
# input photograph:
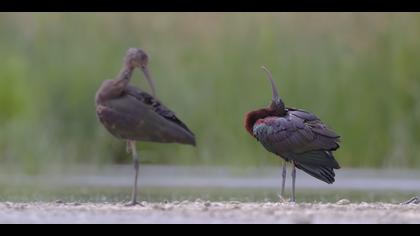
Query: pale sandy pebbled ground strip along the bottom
{"points": [[209, 213]]}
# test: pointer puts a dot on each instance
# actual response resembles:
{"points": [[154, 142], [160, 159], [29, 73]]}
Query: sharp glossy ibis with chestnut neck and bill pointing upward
{"points": [[297, 136]]}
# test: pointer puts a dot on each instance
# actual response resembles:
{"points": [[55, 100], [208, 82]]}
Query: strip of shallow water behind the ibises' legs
{"points": [[164, 183]]}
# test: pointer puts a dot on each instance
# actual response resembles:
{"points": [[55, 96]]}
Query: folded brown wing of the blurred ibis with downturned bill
{"points": [[135, 118]]}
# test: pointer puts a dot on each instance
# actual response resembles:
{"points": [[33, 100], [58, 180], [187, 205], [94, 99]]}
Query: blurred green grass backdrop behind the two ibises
{"points": [[358, 72]]}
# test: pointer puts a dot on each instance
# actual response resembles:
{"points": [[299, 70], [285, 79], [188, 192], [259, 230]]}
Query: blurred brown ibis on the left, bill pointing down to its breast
{"points": [[132, 114]]}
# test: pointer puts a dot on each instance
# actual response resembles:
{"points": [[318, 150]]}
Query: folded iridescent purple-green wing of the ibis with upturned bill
{"points": [[298, 136]]}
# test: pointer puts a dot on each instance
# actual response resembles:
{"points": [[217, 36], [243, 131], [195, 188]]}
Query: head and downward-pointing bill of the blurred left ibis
{"points": [[136, 57]]}
